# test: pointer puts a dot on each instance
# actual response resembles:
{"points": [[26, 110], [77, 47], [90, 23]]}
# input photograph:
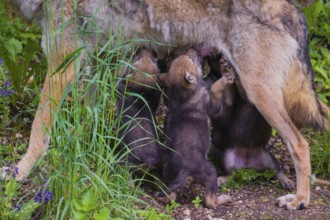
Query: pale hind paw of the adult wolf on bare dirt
{"points": [[292, 202]]}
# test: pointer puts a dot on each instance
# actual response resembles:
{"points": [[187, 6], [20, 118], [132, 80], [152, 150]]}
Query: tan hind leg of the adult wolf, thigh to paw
{"points": [[269, 101]]}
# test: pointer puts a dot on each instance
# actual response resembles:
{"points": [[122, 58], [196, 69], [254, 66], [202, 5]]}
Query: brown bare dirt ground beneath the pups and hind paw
{"points": [[253, 201]]}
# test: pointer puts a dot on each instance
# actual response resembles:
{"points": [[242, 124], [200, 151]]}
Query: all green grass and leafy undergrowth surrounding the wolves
{"points": [[82, 176]]}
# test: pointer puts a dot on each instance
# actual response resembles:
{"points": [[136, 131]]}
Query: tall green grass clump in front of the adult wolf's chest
{"points": [[85, 168]]}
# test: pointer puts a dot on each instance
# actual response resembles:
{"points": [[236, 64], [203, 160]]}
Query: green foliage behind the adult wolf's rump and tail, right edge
{"points": [[318, 17]]}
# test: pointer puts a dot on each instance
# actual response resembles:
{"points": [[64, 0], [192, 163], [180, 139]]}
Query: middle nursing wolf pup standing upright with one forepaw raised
{"points": [[187, 127]]}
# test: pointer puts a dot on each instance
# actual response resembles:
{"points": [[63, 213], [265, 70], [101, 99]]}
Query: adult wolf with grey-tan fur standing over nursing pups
{"points": [[265, 40]]}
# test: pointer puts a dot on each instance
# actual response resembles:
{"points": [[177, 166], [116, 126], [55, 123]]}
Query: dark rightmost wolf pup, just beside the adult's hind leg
{"points": [[241, 134]]}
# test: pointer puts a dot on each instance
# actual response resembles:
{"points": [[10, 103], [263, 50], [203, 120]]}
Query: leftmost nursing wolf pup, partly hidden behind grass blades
{"points": [[138, 125]]}
